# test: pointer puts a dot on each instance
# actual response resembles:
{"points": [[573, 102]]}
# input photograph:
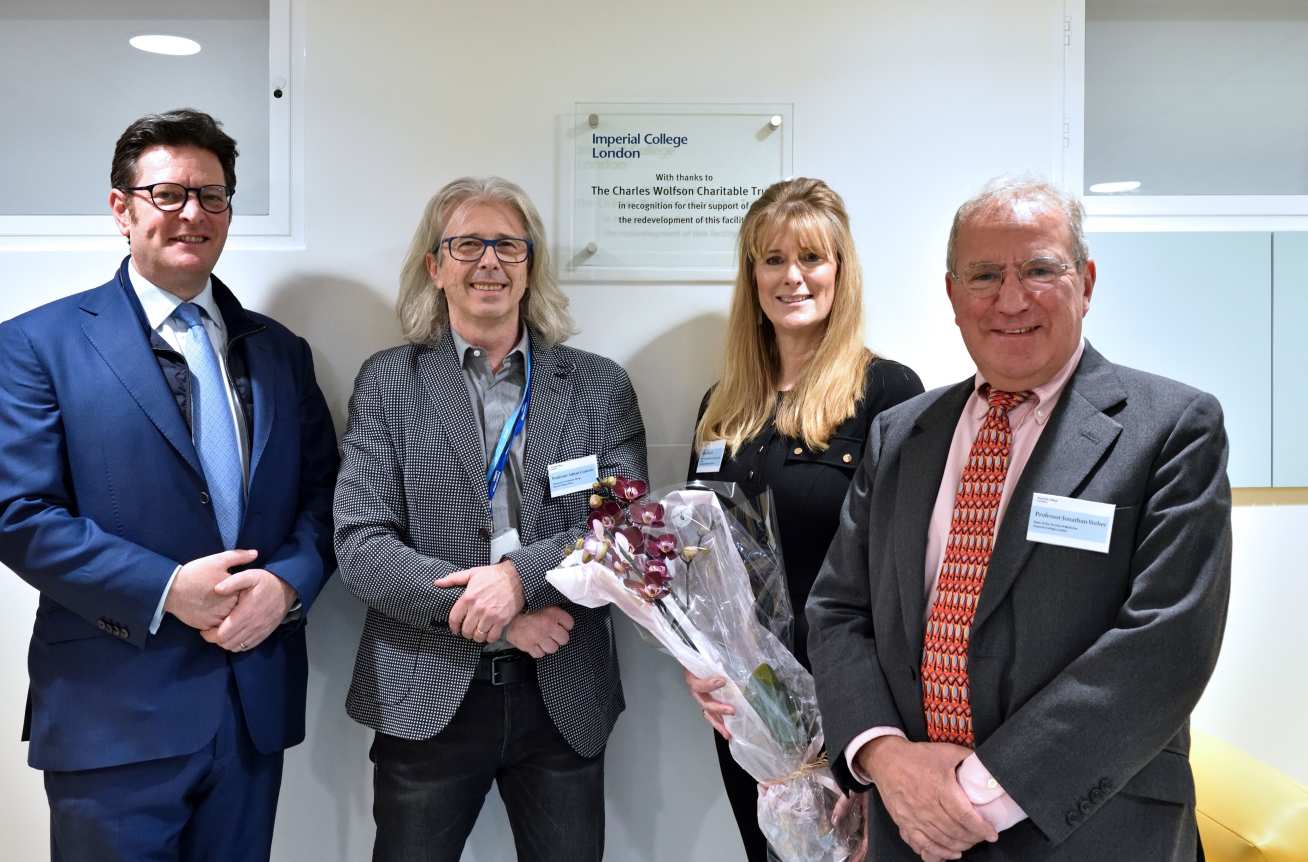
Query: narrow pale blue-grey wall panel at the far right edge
{"points": [[1290, 359]]}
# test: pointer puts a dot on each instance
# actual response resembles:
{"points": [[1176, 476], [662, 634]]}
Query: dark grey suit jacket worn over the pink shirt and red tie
{"points": [[1084, 666]]}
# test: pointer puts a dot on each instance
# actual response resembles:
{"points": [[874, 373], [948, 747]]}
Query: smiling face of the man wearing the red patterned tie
{"points": [[1020, 338]]}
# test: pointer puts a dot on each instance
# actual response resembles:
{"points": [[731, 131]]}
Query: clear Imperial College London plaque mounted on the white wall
{"points": [[659, 190]]}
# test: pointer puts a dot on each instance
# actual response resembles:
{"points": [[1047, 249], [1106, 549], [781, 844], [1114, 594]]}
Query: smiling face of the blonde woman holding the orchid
{"points": [[796, 284]]}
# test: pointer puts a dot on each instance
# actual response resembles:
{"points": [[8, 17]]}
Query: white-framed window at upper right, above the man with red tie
{"points": [[1188, 113]]}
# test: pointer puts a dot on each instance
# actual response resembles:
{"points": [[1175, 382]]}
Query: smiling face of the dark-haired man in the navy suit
{"points": [[175, 250]]}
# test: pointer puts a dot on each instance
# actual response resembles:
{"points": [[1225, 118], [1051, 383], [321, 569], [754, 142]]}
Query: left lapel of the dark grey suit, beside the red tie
{"points": [[921, 470]]}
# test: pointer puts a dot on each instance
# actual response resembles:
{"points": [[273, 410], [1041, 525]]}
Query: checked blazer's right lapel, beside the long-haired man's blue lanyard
{"points": [[547, 413]]}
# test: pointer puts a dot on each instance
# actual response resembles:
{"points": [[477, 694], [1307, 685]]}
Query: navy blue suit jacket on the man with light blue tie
{"points": [[103, 496]]}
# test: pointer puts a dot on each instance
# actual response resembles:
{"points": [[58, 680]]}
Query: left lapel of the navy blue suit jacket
{"points": [[114, 329]]}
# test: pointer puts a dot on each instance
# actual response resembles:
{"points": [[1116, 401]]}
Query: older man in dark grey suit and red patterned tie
{"points": [[1027, 592]]}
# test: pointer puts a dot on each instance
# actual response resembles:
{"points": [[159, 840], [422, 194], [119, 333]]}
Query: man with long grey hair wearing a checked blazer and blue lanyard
{"points": [[466, 474]]}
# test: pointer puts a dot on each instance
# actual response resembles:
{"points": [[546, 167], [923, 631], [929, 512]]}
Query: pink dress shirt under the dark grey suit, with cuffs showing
{"points": [[1029, 422]]}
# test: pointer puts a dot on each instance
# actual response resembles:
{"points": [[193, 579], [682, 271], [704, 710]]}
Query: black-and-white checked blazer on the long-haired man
{"points": [[411, 507]]}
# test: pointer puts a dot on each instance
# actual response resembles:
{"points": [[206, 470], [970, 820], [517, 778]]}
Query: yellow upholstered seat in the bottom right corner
{"points": [[1247, 810]]}
